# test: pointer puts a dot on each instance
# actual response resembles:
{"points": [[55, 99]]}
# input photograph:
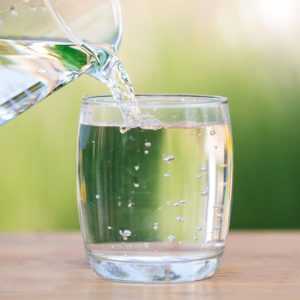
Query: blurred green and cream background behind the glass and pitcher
{"points": [[246, 50]]}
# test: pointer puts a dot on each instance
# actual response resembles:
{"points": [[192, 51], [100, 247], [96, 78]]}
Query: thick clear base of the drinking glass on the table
{"points": [[159, 271]]}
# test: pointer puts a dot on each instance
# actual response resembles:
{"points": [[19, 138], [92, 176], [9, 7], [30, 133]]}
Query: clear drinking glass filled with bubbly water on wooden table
{"points": [[154, 192]]}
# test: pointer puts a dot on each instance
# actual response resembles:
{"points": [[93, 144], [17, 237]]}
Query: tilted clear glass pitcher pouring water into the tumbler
{"points": [[44, 44]]}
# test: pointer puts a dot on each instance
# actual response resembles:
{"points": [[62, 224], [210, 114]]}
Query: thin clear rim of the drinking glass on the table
{"points": [[159, 100]]}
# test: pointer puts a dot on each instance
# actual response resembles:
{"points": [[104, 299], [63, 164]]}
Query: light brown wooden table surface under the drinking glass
{"points": [[256, 265]]}
